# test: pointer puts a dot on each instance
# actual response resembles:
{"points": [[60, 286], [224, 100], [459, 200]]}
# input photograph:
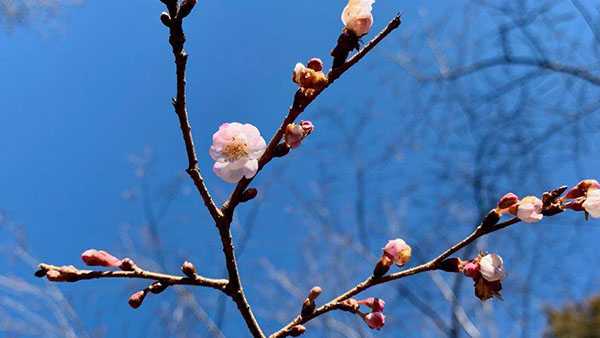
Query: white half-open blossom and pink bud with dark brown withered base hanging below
{"points": [[487, 271]]}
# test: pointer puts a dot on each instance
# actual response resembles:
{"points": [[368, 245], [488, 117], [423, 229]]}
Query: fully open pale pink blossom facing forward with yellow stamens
{"points": [[236, 149]]}
